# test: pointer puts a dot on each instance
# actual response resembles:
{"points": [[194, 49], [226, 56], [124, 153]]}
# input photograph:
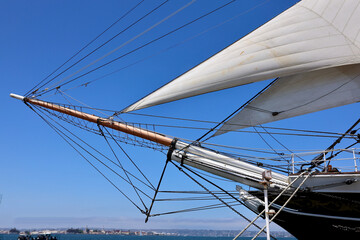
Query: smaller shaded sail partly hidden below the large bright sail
{"points": [[300, 94]]}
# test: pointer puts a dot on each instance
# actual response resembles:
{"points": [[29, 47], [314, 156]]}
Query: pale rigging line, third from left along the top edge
{"points": [[129, 41]]}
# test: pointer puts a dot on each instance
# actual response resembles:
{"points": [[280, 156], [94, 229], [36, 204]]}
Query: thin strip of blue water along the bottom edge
{"points": [[117, 237]]}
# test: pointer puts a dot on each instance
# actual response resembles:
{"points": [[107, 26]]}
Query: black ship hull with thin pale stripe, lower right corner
{"points": [[312, 215]]}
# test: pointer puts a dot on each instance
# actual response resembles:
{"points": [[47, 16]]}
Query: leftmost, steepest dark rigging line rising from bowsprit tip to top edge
{"points": [[113, 24]]}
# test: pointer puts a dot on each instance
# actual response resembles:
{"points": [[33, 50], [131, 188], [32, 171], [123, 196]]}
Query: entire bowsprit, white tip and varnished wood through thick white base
{"points": [[182, 152]]}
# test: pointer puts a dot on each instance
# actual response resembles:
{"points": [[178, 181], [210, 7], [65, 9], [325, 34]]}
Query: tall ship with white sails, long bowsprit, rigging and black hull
{"points": [[310, 57]]}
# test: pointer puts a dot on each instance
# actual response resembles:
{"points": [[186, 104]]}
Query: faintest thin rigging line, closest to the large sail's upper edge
{"points": [[171, 47]]}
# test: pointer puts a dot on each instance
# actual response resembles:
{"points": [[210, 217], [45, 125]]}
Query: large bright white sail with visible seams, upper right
{"points": [[312, 35]]}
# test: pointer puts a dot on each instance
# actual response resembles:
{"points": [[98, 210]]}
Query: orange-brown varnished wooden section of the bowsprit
{"points": [[138, 132]]}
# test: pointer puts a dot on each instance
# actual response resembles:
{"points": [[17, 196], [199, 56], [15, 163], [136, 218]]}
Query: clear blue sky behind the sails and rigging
{"points": [[43, 181]]}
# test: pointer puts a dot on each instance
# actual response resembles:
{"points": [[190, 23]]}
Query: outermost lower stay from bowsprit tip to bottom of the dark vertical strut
{"points": [[62, 135]]}
